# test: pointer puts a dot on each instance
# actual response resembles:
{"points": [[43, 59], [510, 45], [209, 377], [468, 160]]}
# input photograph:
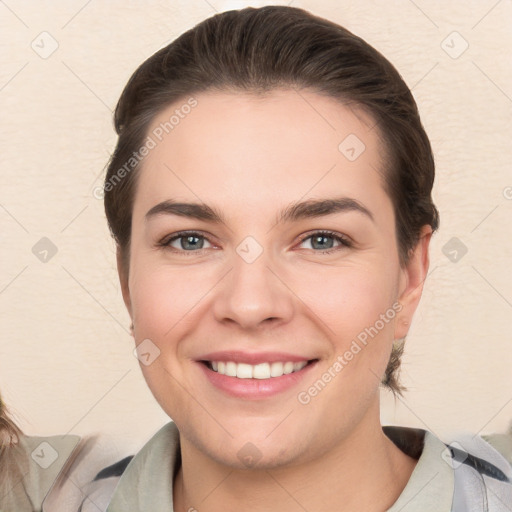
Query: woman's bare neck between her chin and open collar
{"points": [[364, 471]]}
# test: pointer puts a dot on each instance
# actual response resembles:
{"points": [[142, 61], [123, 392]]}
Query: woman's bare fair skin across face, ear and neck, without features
{"points": [[249, 157]]}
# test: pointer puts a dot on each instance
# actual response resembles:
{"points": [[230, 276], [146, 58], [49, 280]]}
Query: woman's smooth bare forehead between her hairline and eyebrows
{"points": [[248, 150]]}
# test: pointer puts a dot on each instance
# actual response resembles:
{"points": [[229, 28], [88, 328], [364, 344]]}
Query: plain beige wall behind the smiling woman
{"points": [[66, 362]]}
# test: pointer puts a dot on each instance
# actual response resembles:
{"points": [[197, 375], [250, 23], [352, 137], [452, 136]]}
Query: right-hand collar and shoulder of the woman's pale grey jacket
{"points": [[464, 475]]}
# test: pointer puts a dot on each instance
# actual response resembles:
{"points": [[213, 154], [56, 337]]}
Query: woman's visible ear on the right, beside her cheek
{"points": [[413, 276]]}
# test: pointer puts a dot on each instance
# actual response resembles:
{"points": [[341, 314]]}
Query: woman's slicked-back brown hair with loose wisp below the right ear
{"points": [[257, 50]]}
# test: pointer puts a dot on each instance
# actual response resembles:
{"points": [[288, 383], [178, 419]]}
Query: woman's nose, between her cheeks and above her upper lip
{"points": [[253, 294]]}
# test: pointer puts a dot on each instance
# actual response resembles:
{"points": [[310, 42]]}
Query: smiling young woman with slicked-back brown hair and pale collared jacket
{"points": [[270, 198]]}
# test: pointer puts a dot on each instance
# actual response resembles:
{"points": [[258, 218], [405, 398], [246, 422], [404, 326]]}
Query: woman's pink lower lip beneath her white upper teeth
{"points": [[255, 389]]}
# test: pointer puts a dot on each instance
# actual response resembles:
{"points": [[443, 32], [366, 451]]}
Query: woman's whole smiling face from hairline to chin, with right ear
{"points": [[242, 282]]}
